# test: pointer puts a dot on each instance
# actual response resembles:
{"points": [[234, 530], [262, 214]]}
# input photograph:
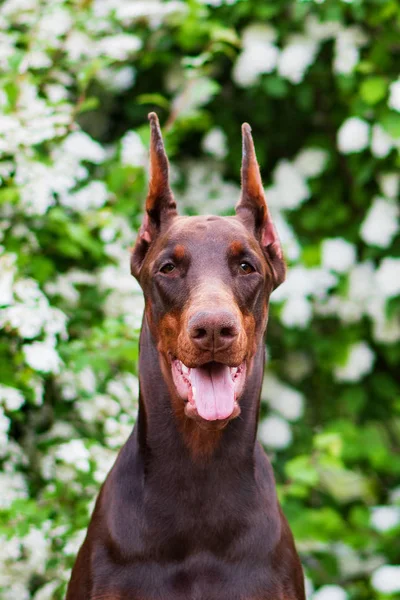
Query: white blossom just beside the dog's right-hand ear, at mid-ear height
{"points": [[289, 189]]}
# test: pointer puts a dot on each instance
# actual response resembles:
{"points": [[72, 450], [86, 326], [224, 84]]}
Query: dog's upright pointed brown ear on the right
{"points": [[253, 211]]}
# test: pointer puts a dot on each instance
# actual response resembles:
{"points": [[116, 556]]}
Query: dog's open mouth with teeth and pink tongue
{"points": [[211, 391]]}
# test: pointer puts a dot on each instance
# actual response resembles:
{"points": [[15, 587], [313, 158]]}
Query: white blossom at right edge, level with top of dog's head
{"points": [[381, 223]]}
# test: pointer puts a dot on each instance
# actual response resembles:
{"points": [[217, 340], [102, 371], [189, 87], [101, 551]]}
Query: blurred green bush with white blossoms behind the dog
{"points": [[319, 81]]}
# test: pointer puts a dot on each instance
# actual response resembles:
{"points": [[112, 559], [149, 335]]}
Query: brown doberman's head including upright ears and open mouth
{"points": [[207, 282]]}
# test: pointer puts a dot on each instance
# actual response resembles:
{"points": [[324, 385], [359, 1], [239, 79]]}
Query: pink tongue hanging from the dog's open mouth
{"points": [[213, 391]]}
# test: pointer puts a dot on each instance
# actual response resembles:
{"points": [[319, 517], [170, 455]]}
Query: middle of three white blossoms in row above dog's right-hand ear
{"points": [[296, 57]]}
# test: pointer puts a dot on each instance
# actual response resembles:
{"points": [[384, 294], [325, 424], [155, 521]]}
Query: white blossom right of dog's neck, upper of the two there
{"points": [[282, 398]]}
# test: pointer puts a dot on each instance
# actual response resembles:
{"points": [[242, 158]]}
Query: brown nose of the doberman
{"points": [[215, 330]]}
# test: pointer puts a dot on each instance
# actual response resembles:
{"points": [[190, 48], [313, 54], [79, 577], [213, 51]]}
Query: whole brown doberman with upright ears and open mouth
{"points": [[189, 510]]}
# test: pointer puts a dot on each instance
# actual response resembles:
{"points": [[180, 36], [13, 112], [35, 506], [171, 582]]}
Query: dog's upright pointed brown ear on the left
{"points": [[160, 203]]}
